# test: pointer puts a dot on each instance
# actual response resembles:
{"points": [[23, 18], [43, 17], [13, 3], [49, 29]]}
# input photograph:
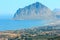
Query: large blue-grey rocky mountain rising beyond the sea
{"points": [[33, 11]]}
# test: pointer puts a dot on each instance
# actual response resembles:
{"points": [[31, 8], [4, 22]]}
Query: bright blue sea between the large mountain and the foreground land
{"points": [[20, 24]]}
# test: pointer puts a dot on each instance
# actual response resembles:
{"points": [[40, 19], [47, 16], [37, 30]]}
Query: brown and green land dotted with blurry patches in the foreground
{"points": [[47, 33]]}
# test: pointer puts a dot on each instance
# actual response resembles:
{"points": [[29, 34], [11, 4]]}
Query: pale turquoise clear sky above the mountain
{"points": [[9, 7]]}
